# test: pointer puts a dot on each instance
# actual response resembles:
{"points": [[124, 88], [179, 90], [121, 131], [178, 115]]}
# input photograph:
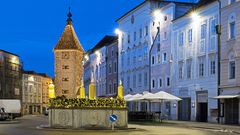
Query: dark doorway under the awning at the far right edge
{"points": [[232, 111]]}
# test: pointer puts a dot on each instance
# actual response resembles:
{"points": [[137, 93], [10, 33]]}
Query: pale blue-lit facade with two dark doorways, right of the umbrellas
{"points": [[194, 49]]}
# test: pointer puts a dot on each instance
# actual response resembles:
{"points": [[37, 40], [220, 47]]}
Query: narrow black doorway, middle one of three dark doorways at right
{"points": [[202, 112]]}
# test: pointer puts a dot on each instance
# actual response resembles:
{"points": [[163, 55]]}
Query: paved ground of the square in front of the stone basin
{"points": [[28, 126]]}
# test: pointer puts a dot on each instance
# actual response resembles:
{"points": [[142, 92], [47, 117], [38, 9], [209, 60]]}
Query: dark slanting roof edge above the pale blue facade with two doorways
{"points": [[200, 4]]}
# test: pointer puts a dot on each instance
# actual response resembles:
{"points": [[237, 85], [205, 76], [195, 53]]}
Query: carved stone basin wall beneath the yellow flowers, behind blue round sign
{"points": [[87, 118]]}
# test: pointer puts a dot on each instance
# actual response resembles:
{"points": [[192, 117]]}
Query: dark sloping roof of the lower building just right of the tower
{"points": [[107, 40]]}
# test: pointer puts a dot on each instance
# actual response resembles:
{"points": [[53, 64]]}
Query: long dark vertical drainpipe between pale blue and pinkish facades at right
{"points": [[218, 30]]}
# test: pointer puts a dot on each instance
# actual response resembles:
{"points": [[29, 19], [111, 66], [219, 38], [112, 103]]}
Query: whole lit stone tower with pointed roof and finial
{"points": [[68, 55]]}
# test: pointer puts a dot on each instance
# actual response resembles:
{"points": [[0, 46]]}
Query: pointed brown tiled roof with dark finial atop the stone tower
{"points": [[69, 39]]}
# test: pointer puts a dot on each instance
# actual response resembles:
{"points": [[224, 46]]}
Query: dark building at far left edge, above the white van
{"points": [[11, 73]]}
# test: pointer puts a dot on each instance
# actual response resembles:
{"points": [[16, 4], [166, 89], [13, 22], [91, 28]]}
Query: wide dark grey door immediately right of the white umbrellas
{"points": [[184, 109]]}
